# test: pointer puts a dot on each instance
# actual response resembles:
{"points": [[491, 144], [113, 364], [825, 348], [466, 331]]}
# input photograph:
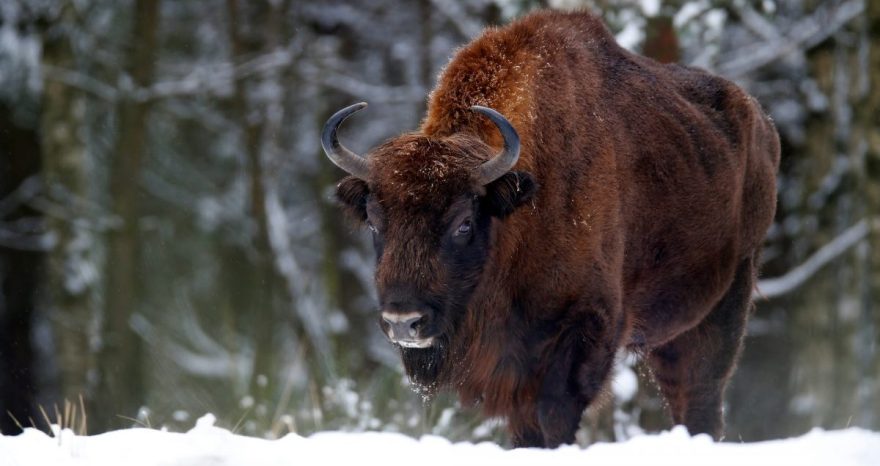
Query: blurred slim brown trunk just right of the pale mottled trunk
{"points": [[121, 389]]}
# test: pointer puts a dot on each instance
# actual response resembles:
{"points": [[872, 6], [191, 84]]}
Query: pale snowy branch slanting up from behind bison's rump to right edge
{"points": [[773, 287]]}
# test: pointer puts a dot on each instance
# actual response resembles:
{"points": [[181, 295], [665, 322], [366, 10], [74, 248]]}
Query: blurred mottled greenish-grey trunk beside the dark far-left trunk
{"points": [[72, 284]]}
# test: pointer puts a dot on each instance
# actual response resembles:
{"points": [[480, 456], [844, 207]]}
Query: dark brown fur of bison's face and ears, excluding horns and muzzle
{"points": [[420, 189]]}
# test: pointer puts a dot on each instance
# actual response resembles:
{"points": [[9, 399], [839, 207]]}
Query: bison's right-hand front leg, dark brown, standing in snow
{"points": [[581, 362]]}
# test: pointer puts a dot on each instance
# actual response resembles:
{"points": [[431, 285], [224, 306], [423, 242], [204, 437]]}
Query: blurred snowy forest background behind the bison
{"points": [[169, 244]]}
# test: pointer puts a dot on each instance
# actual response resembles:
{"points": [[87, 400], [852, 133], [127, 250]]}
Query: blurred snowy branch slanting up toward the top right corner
{"points": [[805, 33]]}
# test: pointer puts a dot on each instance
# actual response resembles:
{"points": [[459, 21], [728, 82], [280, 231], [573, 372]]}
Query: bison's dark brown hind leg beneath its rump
{"points": [[692, 370]]}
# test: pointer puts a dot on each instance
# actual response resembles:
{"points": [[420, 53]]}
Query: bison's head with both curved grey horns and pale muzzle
{"points": [[431, 204]]}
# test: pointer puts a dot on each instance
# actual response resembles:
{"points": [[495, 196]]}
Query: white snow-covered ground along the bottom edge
{"points": [[209, 445]]}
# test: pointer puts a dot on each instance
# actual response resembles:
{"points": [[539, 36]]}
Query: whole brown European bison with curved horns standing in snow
{"points": [[617, 203]]}
